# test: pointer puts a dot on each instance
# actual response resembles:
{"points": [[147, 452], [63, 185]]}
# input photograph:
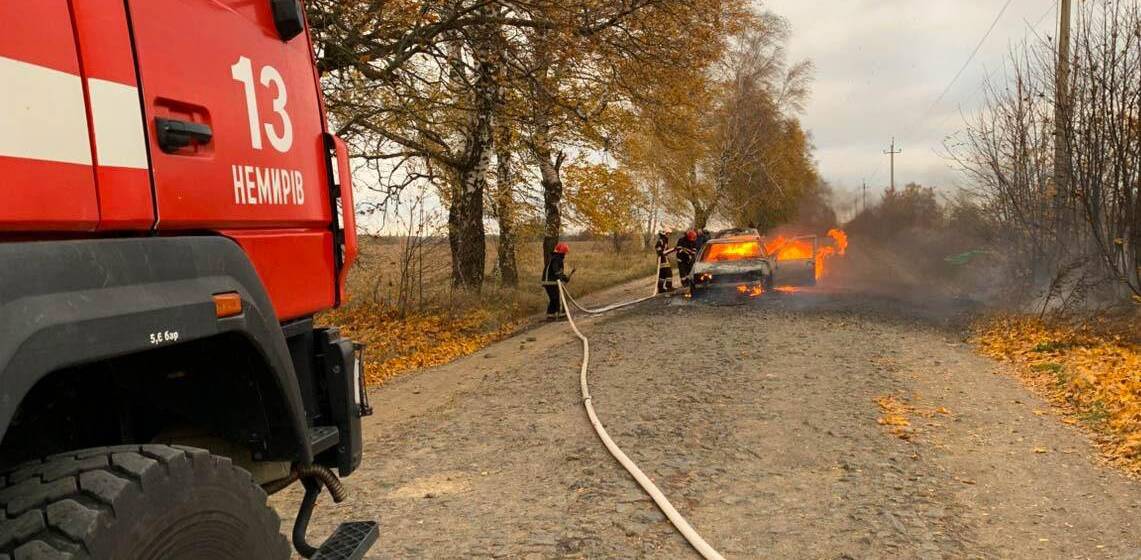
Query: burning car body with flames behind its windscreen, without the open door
{"points": [[737, 264]]}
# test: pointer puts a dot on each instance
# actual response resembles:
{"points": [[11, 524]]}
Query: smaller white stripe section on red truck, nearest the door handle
{"points": [[118, 117]]}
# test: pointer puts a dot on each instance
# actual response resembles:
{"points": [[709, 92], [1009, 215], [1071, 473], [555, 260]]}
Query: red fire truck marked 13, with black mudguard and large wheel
{"points": [[174, 212]]}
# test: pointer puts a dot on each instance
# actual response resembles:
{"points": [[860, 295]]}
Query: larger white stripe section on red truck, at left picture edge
{"points": [[43, 115]]}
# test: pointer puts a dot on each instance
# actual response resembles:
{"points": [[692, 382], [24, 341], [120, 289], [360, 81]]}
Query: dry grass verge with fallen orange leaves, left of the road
{"points": [[426, 322]]}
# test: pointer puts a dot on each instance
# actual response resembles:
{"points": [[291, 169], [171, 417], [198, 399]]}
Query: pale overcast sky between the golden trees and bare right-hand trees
{"points": [[880, 66]]}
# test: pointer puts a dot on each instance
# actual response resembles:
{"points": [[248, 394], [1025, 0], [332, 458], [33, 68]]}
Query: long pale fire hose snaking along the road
{"points": [[683, 526]]}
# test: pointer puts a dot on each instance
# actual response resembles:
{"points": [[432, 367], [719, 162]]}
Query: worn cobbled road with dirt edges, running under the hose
{"points": [[759, 423]]}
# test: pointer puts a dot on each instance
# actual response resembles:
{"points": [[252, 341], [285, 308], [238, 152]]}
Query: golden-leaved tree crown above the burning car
{"points": [[729, 143]]}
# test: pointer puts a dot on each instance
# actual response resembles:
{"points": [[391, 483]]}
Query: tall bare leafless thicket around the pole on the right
{"points": [[1089, 228]]}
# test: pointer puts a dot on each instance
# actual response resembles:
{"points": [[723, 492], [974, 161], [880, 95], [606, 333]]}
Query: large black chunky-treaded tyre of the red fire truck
{"points": [[136, 502]]}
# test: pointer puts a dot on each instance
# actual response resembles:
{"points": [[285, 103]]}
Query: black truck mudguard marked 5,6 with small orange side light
{"points": [[71, 303]]}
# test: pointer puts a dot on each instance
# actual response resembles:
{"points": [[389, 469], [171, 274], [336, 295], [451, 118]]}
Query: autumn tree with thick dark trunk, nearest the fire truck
{"points": [[412, 87]]}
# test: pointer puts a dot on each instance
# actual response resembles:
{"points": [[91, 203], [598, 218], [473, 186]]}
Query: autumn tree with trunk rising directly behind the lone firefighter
{"points": [[584, 79]]}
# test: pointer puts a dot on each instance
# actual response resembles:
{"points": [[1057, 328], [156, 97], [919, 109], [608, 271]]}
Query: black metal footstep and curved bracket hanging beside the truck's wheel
{"points": [[351, 541]]}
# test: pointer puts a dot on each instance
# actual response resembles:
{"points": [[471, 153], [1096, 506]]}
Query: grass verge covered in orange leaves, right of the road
{"points": [[1093, 372]]}
